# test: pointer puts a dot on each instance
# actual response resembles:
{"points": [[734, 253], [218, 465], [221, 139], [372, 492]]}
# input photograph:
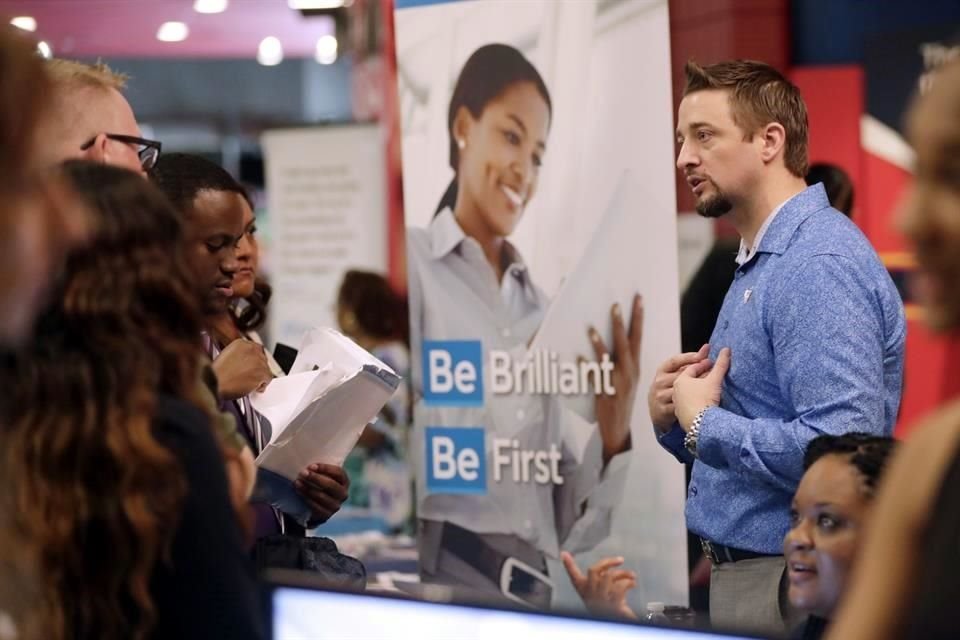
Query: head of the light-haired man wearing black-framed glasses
{"points": [[90, 119]]}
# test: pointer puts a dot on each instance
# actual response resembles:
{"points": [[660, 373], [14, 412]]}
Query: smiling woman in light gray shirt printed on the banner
{"points": [[508, 476]]}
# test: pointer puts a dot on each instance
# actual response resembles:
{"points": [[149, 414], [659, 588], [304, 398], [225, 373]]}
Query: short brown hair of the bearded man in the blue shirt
{"points": [[759, 95]]}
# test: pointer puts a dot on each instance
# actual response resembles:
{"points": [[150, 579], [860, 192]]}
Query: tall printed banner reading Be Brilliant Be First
{"points": [[539, 200]]}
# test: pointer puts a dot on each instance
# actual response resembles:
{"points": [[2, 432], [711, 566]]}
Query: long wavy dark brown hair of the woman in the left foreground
{"points": [[92, 498]]}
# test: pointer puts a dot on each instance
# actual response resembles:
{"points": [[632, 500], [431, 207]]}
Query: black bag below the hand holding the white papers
{"points": [[319, 556]]}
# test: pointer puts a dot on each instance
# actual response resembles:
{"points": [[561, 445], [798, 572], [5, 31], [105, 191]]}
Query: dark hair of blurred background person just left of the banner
{"points": [[378, 310]]}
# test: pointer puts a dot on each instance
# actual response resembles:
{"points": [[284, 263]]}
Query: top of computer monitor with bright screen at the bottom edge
{"points": [[304, 610]]}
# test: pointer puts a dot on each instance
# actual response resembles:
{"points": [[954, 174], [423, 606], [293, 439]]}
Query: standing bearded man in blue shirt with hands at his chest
{"points": [[810, 338]]}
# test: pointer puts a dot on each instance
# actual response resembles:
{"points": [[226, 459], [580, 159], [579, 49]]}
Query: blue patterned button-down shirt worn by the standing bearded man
{"points": [[816, 331]]}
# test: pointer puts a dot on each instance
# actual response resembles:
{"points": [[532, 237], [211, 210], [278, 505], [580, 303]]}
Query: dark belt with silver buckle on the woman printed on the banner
{"points": [[522, 580]]}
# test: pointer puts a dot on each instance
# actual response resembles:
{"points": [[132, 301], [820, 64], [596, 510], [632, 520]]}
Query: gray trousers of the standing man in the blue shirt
{"points": [[751, 596]]}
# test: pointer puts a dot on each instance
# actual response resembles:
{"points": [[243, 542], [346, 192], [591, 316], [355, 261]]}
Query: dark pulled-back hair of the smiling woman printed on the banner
{"points": [[487, 74]]}
